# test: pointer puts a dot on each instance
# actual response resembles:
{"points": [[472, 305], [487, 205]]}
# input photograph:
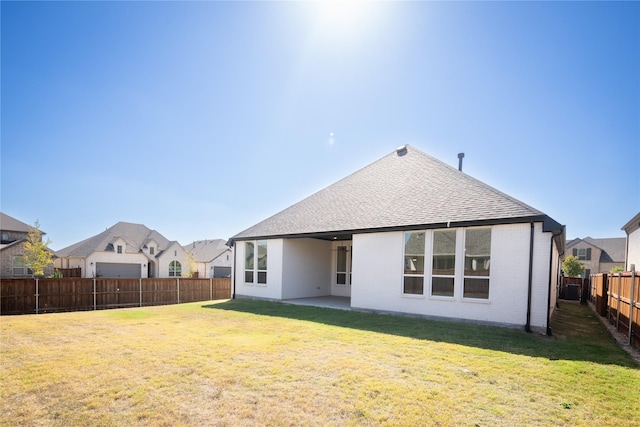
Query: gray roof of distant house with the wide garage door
{"points": [[136, 235]]}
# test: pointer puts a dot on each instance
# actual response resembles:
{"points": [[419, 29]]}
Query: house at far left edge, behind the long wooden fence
{"points": [[14, 235]]}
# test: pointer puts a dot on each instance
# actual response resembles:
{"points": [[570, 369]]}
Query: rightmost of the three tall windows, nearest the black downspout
{"points": [[477, 258]]}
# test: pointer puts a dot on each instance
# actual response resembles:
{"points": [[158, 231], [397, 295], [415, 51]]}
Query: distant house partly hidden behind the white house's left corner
{"points": [[211, 258]]}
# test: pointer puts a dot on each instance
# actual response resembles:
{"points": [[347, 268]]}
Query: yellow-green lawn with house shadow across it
{"points": [[260, 363]]}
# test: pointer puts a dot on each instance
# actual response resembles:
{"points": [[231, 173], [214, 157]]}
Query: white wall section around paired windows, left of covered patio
{"points": [[273, 288]]}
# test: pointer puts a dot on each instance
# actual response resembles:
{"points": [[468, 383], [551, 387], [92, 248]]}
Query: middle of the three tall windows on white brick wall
{"points": [[443, 263]]}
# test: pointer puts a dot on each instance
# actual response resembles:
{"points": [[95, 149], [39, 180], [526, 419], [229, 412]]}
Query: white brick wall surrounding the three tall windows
{"points": [[378, 277]]}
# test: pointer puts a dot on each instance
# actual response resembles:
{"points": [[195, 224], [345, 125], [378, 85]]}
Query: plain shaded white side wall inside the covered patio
{"points": [[306, 268]]}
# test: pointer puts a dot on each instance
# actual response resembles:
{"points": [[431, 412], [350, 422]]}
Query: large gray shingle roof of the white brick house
{"points": [[405, 188]]}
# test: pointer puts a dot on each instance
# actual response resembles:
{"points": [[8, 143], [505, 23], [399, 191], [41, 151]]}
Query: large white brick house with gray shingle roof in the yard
{"points": [[409, 234]]}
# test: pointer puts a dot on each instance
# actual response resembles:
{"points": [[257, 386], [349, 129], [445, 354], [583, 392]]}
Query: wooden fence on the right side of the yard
{"points": [[617, 296]]}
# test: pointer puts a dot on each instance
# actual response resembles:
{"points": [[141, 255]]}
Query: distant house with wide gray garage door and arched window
{"points": [[126, 250]]}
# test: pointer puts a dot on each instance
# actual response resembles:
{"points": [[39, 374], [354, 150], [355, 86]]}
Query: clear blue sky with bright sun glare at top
{"points": [[200, 119]]}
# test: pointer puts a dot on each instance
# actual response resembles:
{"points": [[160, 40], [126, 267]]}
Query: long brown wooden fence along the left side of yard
{"points": [[33, 296]]}
